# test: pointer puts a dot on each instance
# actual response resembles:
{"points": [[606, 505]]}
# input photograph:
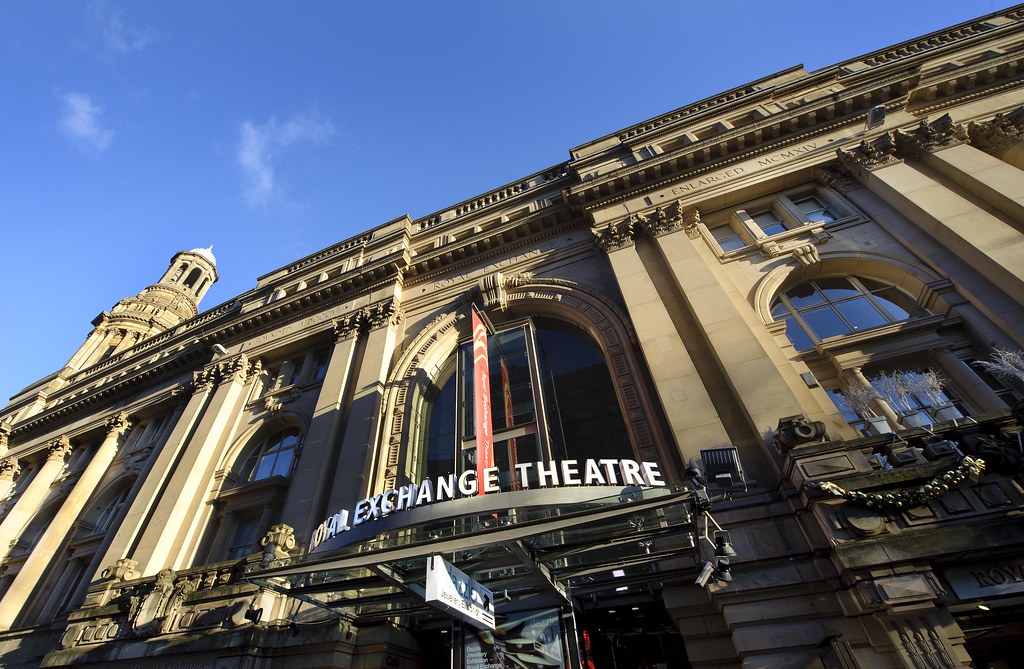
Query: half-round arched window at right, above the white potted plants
{"points": [[831, 307]]}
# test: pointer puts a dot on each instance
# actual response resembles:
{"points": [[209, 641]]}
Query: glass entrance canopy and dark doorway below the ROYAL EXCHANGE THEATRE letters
{"points": [[575, 575]]}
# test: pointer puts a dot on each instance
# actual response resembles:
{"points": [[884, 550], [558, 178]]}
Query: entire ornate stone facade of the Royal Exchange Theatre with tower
{"points": [[755, 324]]}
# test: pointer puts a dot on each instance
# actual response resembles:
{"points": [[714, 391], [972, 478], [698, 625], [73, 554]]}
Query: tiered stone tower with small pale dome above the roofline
{"points": [[164, 305]]}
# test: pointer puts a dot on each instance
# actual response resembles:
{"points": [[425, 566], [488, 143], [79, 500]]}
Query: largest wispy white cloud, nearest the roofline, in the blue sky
{"points": [[261, 147]]}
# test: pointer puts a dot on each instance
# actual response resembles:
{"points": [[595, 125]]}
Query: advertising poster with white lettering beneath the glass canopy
{"points": [[530, 641]]}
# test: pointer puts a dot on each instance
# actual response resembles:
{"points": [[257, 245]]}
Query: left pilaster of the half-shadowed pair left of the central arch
{"points": [[311, 487]]}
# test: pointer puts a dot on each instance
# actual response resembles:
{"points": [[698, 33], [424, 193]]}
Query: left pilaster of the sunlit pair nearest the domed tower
{"points": [[154, 480]]}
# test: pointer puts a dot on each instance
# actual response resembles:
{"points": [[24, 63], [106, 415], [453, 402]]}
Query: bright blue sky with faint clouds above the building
{"points": [[271, 131]]}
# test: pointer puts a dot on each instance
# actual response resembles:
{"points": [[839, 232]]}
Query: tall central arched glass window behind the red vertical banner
{"points": [[551, 396]]}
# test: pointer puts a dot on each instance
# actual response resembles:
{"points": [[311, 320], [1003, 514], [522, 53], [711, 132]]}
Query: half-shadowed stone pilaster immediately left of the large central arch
{"points": [[362, 433]]}
